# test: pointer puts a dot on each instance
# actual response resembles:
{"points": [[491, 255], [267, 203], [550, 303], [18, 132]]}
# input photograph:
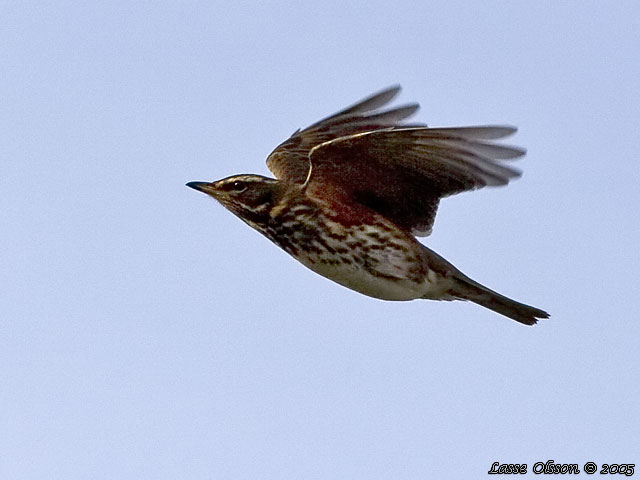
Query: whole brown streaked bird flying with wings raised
{"points": [[353, 191]]}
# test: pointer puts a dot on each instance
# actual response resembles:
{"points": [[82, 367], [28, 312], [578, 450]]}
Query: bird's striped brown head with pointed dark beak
{"points": [[250, 197]]}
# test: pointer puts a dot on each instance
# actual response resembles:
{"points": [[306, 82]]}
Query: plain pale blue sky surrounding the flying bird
{"points": [[145, 332]]}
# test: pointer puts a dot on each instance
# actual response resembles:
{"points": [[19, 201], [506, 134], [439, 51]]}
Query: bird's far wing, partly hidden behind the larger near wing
{"points": [[290, 160]]}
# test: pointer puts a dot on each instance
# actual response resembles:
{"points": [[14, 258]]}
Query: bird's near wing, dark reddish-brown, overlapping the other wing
{"points": [[403, 172]]}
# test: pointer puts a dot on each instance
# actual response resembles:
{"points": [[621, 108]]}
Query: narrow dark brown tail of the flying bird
{"points": [[467, 289]]}
